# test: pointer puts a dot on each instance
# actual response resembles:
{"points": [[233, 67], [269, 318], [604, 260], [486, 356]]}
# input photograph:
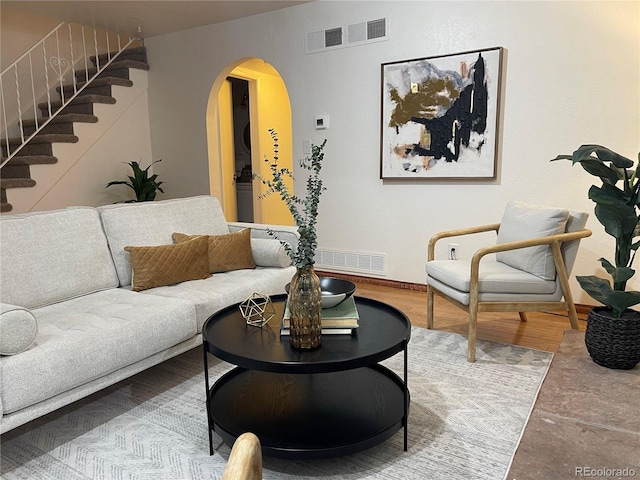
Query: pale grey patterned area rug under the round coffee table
{"points": [[465, 423]]}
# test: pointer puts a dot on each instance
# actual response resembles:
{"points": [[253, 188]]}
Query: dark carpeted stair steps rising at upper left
{"points": [[38, 150]]}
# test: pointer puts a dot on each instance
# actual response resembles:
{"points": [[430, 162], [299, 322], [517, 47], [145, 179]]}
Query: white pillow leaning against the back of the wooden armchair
{"points": [[522, 221]]}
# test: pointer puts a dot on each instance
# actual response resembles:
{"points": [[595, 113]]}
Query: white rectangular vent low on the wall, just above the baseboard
{"points": [[356, 262]]}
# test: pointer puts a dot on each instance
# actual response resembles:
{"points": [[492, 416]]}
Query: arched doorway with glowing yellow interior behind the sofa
{"points": [[268, 107]]}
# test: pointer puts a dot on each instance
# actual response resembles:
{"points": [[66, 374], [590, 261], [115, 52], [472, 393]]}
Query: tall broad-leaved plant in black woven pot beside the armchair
{"points": [[613, 330]]}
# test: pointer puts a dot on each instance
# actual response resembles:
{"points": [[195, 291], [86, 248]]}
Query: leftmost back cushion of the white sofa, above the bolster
{"points": [[48, 257]]}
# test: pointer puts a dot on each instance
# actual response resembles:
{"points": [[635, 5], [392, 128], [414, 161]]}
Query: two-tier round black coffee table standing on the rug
{"points": [[331, 401]]}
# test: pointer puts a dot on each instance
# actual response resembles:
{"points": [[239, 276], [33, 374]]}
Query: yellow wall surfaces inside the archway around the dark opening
{"points": [[269, 108]]}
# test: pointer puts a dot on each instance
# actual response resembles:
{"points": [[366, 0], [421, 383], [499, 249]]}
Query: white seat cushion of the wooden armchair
{"points": [[493, 277]]}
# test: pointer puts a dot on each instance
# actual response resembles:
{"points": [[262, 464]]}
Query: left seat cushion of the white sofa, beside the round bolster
{"points": [[88, 337]]}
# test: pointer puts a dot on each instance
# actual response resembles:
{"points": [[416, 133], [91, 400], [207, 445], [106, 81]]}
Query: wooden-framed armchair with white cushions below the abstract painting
{"points": [[534, 254]]}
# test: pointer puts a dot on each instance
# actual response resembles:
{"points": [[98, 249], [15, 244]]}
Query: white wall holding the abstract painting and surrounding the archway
{"points": [[572, 77]]}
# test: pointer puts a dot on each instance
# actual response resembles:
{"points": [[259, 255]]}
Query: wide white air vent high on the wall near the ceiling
{"points": [[352, 35]]}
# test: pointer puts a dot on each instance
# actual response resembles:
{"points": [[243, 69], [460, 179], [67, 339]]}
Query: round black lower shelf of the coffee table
{"points": [[309, 415]]}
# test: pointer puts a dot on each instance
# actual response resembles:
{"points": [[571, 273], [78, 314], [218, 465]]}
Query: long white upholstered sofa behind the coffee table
{"points": [[70, 323]]}
